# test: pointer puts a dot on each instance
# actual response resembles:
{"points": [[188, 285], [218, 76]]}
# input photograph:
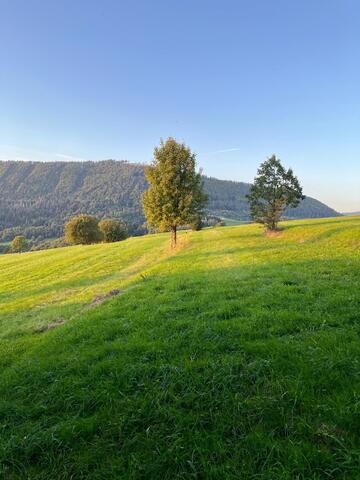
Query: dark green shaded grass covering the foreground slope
{"points": [[231, 373]]}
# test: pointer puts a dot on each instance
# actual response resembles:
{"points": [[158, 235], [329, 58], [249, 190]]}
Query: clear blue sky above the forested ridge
{"points": [[236, 80]]}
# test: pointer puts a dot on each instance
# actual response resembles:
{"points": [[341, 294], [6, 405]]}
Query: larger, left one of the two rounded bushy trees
{"points": [[82, 229]]}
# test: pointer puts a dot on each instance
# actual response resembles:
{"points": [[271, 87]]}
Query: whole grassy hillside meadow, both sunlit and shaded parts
{"points": [[237, 356]]}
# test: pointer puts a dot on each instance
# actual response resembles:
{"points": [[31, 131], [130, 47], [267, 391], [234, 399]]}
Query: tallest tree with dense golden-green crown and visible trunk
{"points": [[175, 195]]}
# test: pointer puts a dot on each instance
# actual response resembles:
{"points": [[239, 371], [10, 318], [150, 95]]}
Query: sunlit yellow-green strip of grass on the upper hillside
{"points": [[69, 278]]}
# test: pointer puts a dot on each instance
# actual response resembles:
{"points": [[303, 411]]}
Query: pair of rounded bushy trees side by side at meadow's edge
{"points": [[85, 229]]}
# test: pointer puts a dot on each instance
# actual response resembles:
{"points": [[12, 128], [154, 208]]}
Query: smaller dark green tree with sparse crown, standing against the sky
{"points": [[274, 189]]}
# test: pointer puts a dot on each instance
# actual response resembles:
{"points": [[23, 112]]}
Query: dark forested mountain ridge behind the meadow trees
{"points": [[37, 198]]}
